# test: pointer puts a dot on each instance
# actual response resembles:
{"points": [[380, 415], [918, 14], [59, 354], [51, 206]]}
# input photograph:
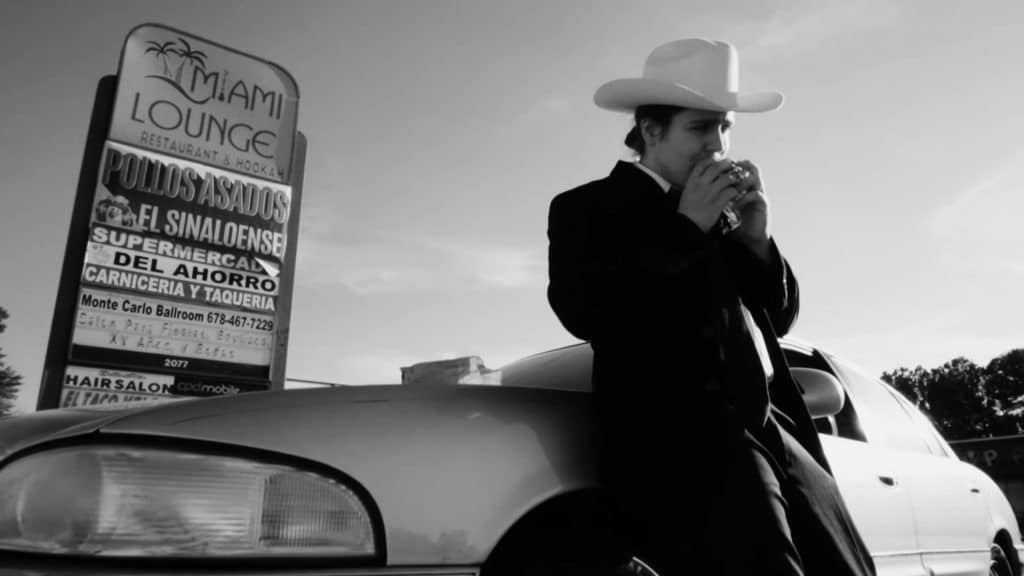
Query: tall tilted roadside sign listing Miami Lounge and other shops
{"points": [[181, 257]]}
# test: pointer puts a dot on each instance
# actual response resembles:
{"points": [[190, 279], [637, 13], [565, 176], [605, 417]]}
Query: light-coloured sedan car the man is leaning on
{"points": [[460, 471]]}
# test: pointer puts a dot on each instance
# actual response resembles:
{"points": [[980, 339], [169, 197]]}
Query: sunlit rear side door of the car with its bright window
{"points": [[950, 513]]}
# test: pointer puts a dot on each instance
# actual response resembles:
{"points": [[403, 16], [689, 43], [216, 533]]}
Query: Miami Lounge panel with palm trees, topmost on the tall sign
{"points": [[195, 100]]}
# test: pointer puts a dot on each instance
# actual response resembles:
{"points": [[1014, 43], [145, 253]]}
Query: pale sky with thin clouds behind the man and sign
{"points": [[440, 131]]}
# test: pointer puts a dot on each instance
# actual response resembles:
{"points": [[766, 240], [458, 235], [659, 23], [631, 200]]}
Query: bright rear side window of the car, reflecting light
{"points": [[885, 422]]}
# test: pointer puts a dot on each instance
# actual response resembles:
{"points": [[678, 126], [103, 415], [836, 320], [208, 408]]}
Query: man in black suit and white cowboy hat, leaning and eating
{"points": [[704, 437]]}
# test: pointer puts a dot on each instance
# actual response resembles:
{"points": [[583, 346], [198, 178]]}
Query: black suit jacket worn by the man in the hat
{"points": [[657, 298]]}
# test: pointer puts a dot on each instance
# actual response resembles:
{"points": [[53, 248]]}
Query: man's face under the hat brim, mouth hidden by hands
{"points": [[693, 136]]}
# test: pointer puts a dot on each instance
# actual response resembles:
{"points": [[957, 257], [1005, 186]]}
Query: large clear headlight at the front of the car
{"points": [[111, 501]]}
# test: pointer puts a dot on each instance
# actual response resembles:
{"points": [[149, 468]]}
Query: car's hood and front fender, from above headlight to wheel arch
{"points": [[448, 467]]}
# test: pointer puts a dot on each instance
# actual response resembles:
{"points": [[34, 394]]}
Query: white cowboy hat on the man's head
{"points": [[688, 73]]}
